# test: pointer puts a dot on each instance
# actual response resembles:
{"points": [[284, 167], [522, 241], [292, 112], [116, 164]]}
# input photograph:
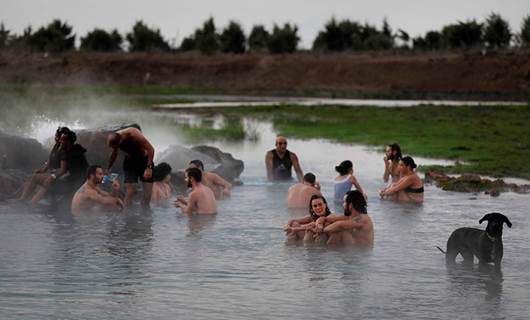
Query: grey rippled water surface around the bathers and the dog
{"points": [[236, 265]]}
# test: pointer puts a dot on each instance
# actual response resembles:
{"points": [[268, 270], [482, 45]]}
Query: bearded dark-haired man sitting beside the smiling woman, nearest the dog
{"points": [[354, 227]]}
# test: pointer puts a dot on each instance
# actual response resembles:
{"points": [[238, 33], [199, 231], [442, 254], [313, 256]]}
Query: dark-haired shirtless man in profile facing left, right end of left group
{"points": [[201, 198]]}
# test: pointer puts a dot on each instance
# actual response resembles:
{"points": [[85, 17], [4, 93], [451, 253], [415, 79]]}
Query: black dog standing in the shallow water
{"points": [[485, 245]]}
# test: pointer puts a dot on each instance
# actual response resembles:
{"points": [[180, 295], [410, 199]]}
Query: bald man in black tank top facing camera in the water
{"points": [[279, 162]]}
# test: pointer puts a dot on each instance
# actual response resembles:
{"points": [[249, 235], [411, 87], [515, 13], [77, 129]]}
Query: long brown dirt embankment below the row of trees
{"points": [[495, 75]]}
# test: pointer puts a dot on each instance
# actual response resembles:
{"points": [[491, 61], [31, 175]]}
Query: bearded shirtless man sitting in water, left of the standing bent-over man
{"points": [[90, 196]]}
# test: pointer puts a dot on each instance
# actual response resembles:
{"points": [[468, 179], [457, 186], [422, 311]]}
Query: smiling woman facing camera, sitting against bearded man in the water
{"points": [[304, 228]]}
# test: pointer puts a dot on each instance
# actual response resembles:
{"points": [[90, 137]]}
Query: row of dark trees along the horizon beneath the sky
{"points": [[345, 35]]}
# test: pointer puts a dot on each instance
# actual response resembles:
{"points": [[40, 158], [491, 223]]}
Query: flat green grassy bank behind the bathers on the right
{"points": [[490, 140]]}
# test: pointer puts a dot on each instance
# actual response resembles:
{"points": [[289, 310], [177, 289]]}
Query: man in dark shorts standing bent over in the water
{"points": [[138, 162]]}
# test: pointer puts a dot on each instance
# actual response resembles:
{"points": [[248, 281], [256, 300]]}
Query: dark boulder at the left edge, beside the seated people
{"points": [[21, 153]]}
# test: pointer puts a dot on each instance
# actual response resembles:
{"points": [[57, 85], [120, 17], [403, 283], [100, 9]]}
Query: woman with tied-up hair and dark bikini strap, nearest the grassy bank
{"points": [[409, 187]]}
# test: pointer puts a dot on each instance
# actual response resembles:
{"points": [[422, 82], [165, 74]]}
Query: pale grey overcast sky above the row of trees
{"points": [[178, 19]]}
